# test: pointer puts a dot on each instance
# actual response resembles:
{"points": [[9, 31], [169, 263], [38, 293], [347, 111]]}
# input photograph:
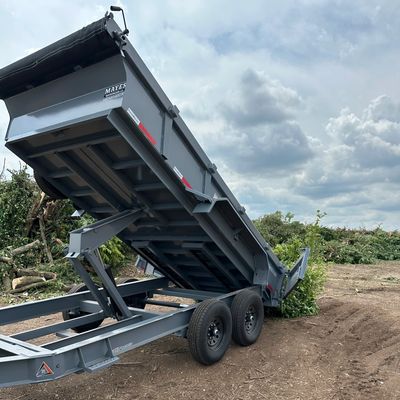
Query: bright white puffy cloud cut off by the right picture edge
{"points": [[361, 166]]}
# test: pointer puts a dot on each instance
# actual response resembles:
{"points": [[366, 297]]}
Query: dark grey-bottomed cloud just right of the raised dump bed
{"points": [[258, 129]]}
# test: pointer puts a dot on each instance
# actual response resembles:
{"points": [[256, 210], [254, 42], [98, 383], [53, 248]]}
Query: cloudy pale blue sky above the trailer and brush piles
{"points": [[296, 102]]}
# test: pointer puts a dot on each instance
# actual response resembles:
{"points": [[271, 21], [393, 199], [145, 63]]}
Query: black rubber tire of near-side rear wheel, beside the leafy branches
{"points": [[240, 304]]}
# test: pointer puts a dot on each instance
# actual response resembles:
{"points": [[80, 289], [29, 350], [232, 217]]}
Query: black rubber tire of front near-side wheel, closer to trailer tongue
{"points": [[199, 323]]}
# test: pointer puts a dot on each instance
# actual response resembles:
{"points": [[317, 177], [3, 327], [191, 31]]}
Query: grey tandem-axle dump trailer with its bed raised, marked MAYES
{"points": [[92, 122]]}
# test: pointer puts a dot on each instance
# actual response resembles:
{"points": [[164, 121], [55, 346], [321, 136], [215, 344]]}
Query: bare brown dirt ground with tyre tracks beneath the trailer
{"points": [[351, 350]]}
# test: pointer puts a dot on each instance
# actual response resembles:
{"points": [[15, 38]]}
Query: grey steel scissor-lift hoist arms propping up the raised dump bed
{"points": [[84, 242]]}
